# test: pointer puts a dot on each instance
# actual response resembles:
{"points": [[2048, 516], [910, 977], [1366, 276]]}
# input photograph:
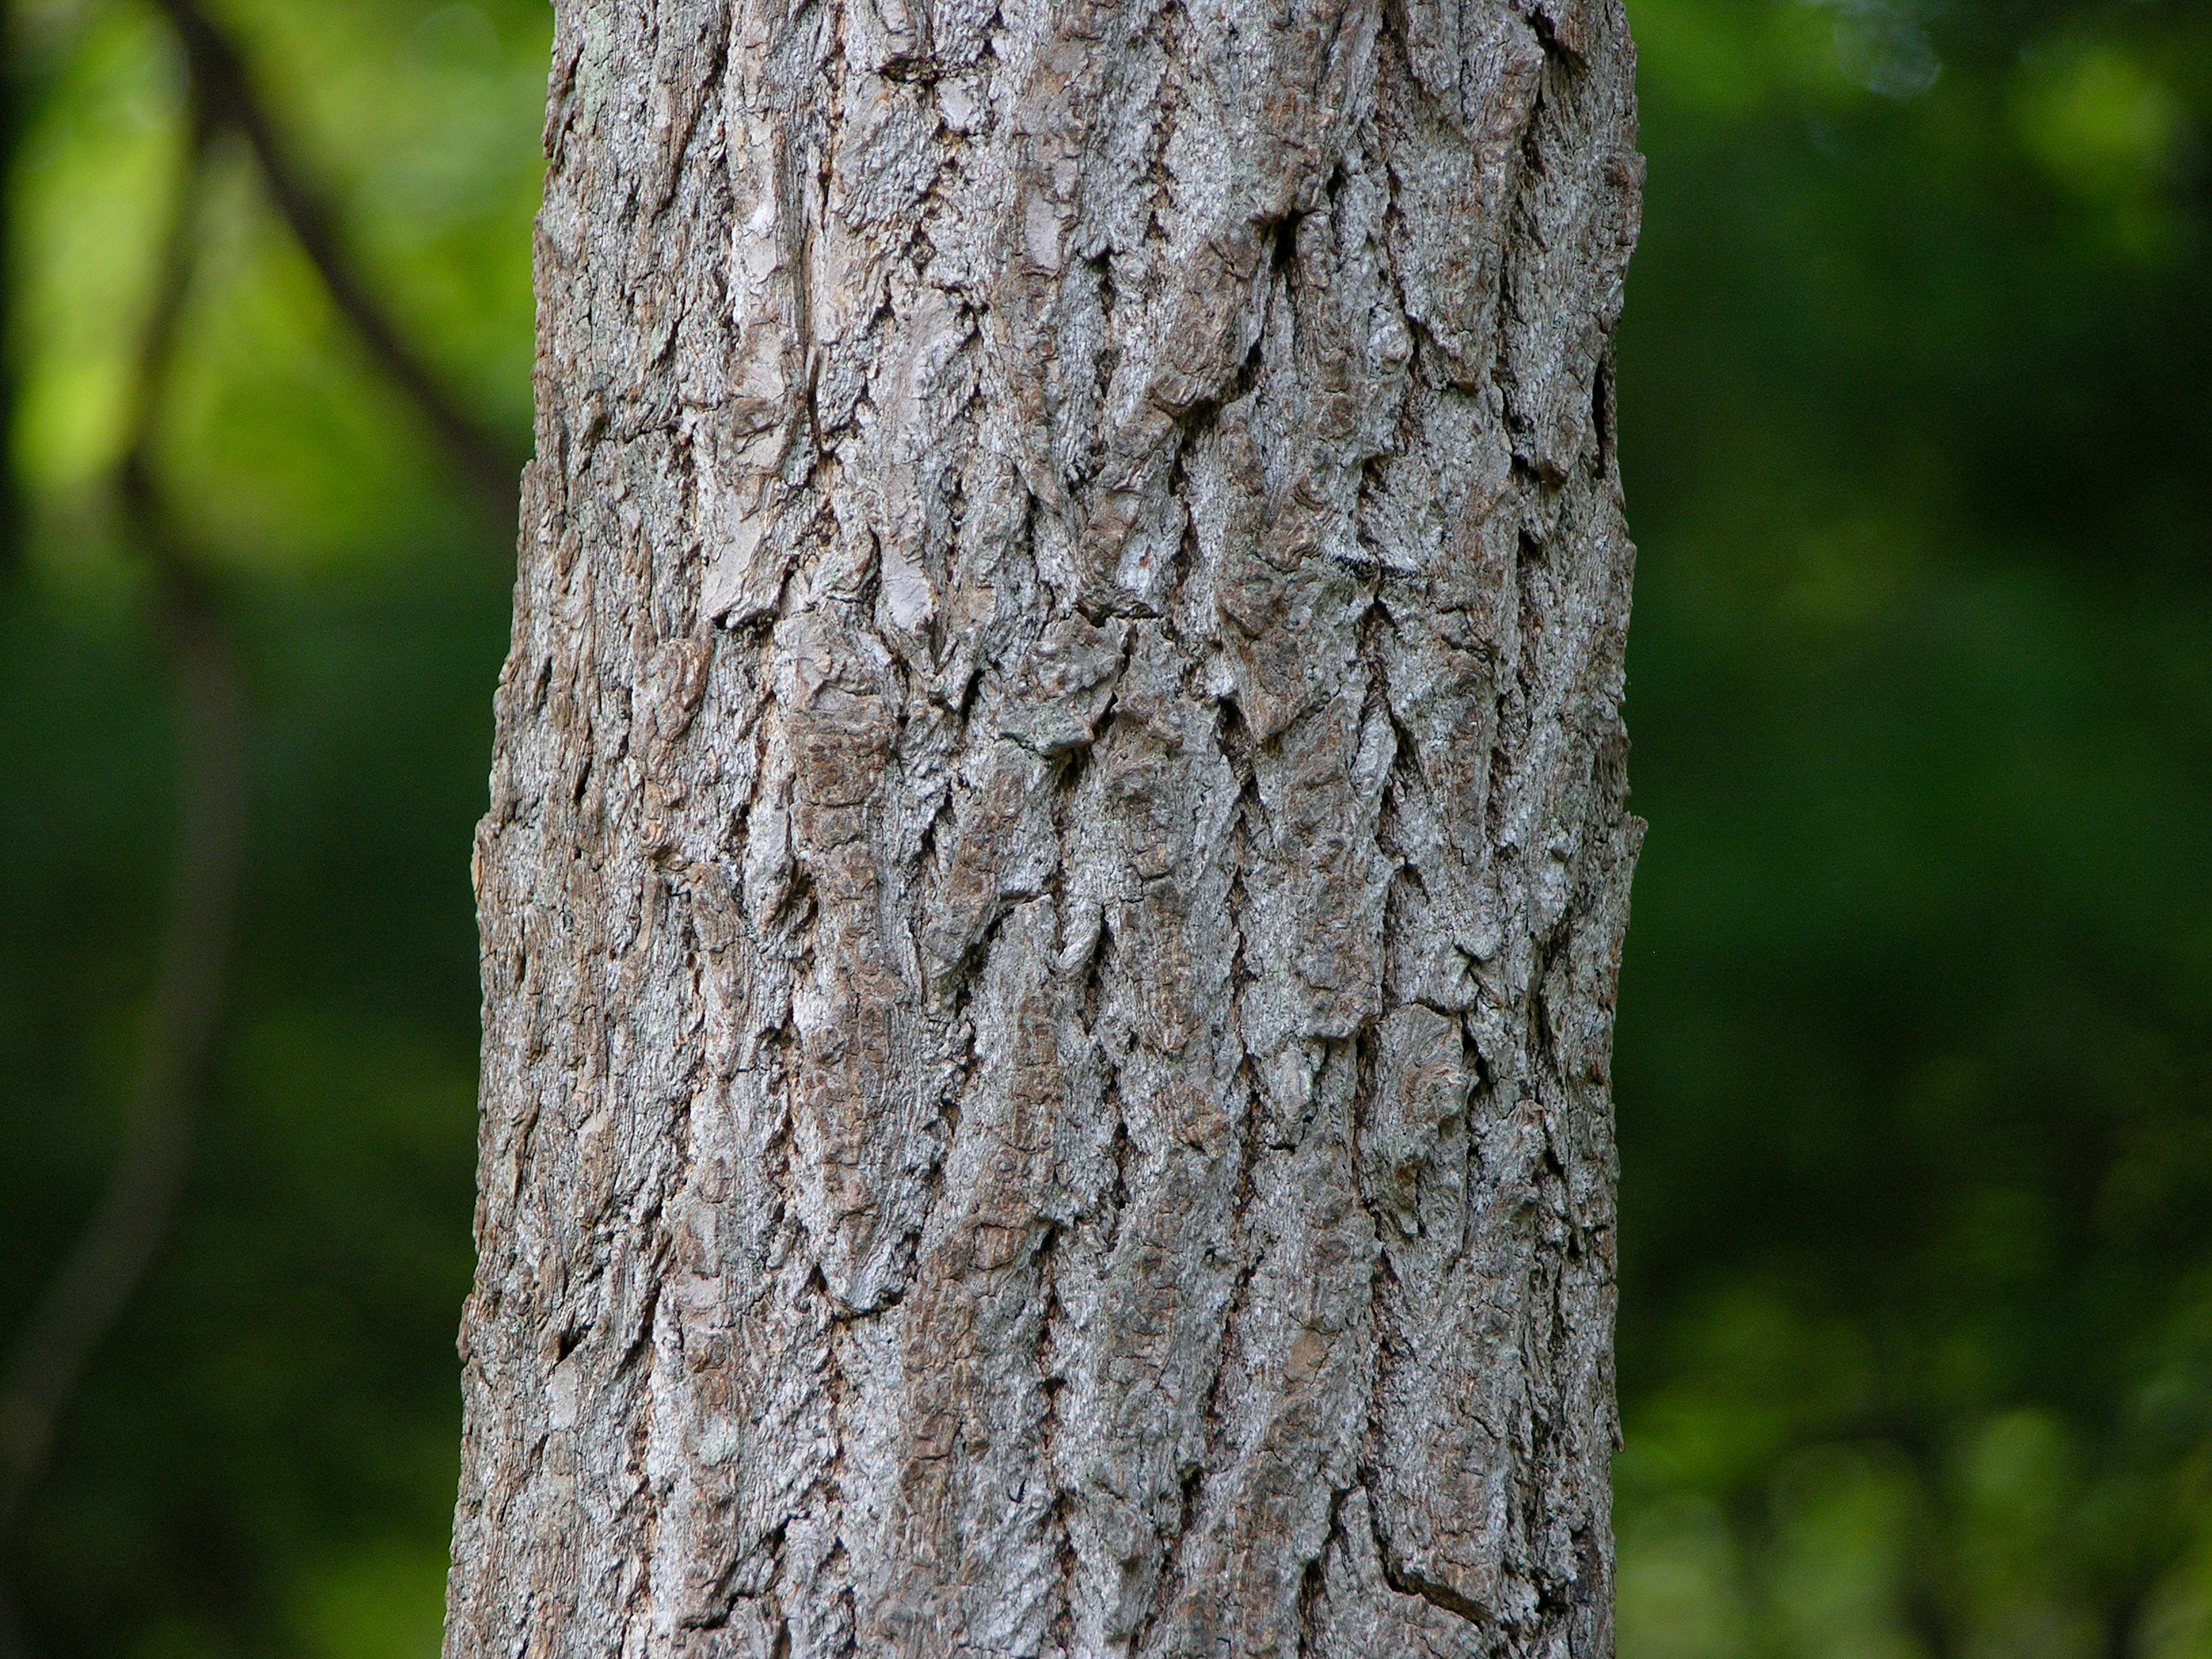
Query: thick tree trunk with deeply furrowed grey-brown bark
{"points": [[1058, 853]]}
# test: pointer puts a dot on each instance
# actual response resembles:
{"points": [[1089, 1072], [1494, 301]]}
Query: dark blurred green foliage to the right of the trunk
{"points": [[1914, 1067]]}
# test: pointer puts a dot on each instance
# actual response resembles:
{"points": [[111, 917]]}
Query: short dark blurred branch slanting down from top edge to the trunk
{"points": [[483, 457]]}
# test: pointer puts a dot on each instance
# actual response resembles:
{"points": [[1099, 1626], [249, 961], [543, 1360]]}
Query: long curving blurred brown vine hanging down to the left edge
{"points": [[118, 1244]]}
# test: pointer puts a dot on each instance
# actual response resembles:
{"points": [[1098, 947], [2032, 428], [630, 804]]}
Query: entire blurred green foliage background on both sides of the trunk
{"points": [[1917, 1025]]}
